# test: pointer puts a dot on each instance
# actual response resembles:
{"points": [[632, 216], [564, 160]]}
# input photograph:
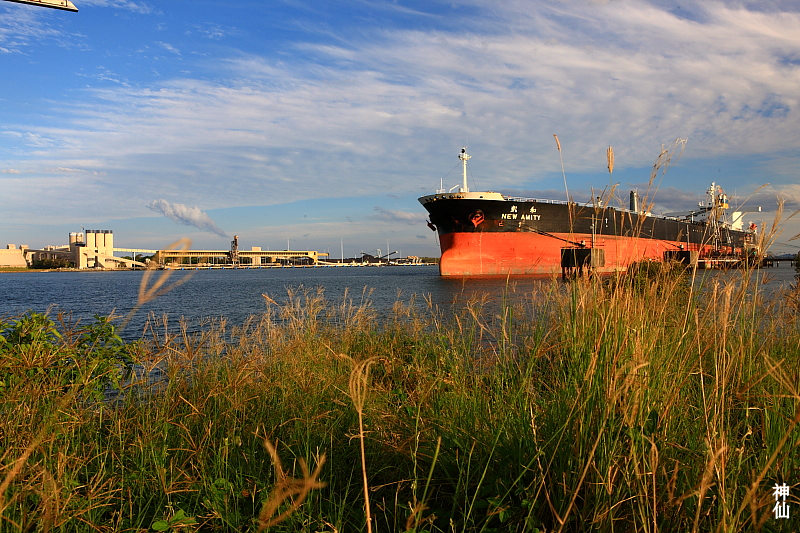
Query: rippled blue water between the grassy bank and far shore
{"points": [[237, 294]]}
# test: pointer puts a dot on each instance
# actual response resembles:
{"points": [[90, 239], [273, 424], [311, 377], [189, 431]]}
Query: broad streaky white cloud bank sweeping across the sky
{"points": [[385, 109]]}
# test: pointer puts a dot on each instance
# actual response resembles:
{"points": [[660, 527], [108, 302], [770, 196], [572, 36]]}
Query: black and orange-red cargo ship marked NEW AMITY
{"points": [[488, 234]]}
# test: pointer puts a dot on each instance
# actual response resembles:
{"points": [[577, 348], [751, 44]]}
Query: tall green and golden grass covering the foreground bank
{"points": [[653, 402]]}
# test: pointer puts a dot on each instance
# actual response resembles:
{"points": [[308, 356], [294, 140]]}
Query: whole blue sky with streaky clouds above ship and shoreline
{"points": [[322, 122]]}
